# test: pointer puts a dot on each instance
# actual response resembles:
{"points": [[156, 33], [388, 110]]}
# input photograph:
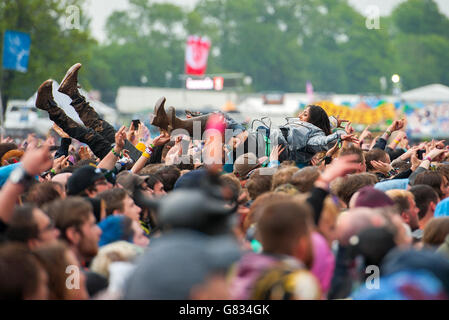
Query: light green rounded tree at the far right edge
{"points": [[421, 43]]}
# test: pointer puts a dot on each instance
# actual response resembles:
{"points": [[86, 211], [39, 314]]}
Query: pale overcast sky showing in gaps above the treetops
{"points": [[99, 10]]}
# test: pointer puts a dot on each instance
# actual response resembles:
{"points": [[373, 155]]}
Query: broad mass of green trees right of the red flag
{"points": [[282, 44]]}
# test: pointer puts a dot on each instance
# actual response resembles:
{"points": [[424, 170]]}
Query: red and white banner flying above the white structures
{"points": [[197, 52]]}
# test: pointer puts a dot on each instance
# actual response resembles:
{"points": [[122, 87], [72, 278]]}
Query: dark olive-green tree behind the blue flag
{"points": [[54, 48]]}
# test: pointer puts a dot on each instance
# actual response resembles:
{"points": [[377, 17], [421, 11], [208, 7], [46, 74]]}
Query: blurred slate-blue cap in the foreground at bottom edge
{"points": [[177, 262]]}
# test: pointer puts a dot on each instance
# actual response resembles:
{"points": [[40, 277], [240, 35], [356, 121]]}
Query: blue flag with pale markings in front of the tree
{"points": [[16, 50]]}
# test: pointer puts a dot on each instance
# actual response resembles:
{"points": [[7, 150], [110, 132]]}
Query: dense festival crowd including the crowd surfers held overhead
{"points": [[210, 209]]}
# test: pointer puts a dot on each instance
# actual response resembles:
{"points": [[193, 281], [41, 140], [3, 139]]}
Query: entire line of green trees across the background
{"points": [[279, 44]]}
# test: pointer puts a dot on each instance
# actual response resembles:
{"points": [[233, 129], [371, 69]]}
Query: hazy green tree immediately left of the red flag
{"points": [[144, 42]]}
